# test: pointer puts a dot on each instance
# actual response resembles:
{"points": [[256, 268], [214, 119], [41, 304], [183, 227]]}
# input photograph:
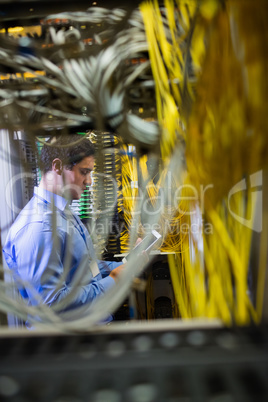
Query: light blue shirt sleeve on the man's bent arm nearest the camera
{"points": [[41, 264]]}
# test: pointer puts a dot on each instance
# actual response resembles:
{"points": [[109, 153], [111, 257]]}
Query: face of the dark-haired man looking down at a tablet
{"points": [[77, 179]]}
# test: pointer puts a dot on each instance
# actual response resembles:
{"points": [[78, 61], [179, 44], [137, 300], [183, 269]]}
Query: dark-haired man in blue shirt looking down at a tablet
{"points": [[48, 248]]}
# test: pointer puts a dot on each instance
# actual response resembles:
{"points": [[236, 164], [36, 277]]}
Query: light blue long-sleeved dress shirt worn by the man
{"points": [[50, 250]]}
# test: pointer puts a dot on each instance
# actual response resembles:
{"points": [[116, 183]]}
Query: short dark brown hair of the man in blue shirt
{"points": [[70, 149]]}
